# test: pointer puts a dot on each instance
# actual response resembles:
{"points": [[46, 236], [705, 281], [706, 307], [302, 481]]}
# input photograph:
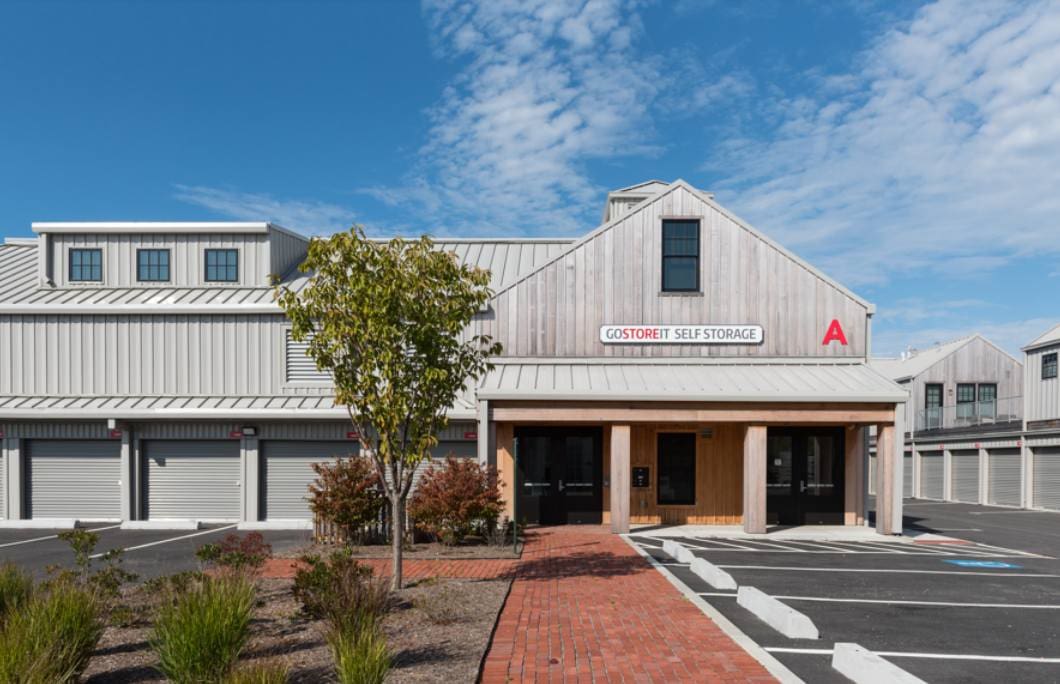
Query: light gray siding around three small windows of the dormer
{"points": [[186, 258]]}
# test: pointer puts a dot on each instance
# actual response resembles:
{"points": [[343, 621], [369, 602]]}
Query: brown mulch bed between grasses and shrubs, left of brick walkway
{"points": [[437, 633]]}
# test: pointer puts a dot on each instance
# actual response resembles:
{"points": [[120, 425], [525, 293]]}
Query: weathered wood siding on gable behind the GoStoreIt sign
{"points": [[616, 278]]}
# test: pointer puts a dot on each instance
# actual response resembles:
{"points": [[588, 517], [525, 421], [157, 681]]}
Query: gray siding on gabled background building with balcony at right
{"points": [[977, 362]]}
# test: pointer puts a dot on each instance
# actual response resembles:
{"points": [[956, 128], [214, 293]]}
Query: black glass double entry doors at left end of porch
{"points": [[560, 476]]}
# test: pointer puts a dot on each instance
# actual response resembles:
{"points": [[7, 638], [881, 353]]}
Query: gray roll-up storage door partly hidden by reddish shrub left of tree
{"points": [[287, 473]]}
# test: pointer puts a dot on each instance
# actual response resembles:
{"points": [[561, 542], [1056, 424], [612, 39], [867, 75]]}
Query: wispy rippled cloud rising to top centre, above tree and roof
{"points": [[549, 86]]}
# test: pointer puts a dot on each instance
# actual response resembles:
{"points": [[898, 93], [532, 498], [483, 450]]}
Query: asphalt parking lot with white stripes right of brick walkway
{"points": [[985, 611]]}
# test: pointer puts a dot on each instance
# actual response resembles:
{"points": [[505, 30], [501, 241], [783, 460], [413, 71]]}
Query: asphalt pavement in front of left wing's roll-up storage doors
{"points": [[148, 553]]}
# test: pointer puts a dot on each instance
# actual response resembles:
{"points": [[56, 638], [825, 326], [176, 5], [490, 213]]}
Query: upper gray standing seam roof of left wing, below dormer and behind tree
{"points": [[507, 259]]}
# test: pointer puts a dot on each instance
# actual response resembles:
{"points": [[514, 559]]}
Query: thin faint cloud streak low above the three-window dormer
{"points": [[309, 217]]}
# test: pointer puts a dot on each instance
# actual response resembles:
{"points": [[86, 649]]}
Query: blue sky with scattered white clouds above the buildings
{"points": [[908, 149]]}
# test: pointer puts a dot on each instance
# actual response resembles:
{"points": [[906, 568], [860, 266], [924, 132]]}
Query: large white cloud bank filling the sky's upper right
{"points": [[929, 156]]}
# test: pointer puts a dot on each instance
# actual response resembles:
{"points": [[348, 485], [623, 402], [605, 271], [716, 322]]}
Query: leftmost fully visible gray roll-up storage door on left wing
{"points": [[74, 479]]}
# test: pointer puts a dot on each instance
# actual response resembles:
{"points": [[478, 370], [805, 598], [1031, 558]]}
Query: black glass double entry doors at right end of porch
{"points": [[805, 476]]}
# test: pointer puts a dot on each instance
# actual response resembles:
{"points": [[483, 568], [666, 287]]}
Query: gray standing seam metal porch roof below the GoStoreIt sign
{"points": [[682, 380]]}
